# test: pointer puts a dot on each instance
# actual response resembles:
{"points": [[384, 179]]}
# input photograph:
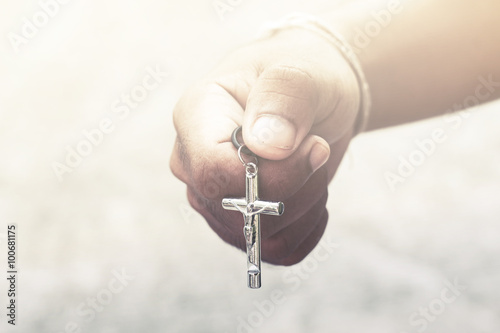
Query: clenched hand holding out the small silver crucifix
{"points": [[297, 99]]}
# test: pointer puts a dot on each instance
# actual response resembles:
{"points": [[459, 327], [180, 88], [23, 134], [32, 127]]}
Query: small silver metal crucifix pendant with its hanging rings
{"points": [[251, 208]]}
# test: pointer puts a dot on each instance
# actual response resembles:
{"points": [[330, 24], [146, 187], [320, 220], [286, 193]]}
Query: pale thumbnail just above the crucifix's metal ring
{"points": [[274, 131]]}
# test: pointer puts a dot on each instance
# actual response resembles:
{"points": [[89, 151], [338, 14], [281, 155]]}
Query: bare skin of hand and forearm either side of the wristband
{"points": [[297, 99]]}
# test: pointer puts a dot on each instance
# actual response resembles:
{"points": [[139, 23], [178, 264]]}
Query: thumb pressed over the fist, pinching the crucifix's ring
{"points": [[280, 111]]}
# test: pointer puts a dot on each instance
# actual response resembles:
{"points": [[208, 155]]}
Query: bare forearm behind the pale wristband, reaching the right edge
{"points": [[428, 58]]}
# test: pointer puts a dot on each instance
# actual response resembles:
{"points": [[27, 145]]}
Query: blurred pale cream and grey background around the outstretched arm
{"points": [[121, 209]]}
